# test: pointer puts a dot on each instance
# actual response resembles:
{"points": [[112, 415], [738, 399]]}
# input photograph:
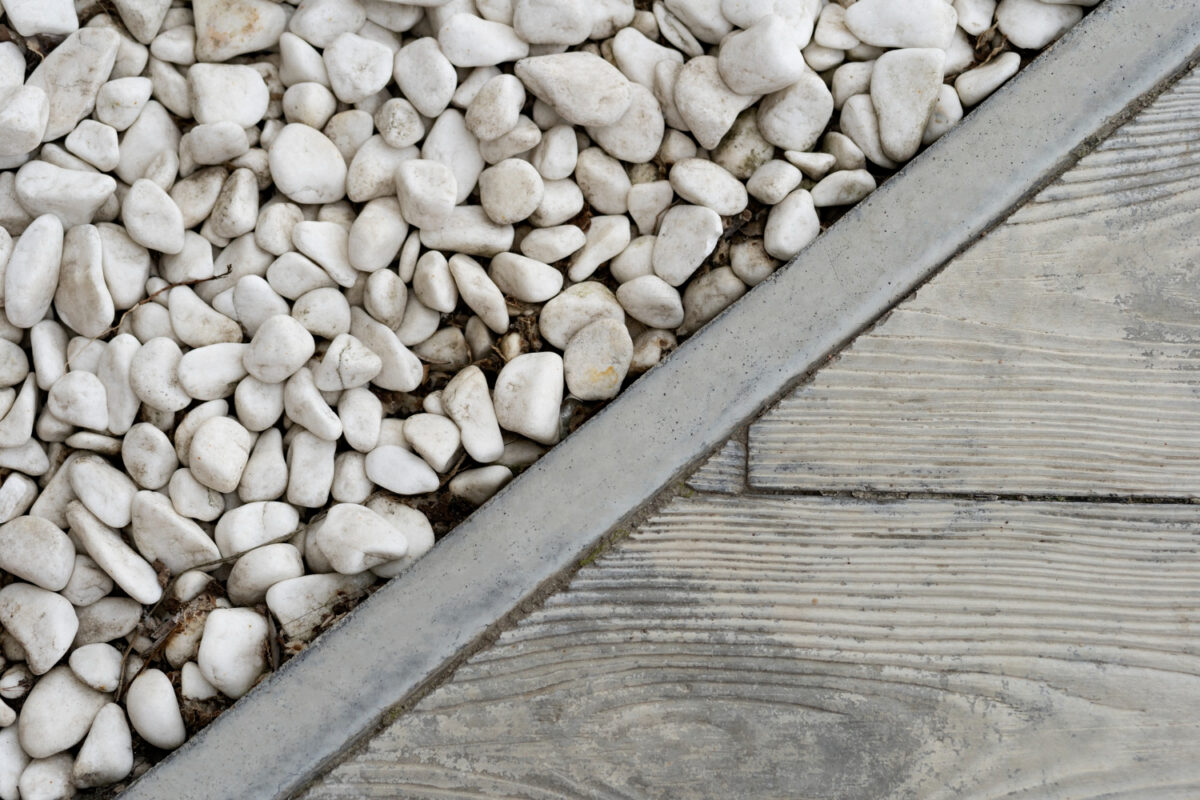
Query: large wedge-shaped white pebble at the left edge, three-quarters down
{"points": [[43, 622]]}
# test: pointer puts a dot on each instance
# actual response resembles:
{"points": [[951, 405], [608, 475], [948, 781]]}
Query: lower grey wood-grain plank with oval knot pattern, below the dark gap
{"points": [[749, 647]]}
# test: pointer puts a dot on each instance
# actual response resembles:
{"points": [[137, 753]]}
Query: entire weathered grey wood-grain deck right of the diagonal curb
{"points": [[961, 562]]}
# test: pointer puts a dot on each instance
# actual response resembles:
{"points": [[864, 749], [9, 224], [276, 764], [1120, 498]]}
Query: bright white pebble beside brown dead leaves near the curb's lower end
{"points": [[233, 651]]}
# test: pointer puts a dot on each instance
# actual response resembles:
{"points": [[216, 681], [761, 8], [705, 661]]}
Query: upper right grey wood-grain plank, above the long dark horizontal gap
{"points": [[1059, 357]]}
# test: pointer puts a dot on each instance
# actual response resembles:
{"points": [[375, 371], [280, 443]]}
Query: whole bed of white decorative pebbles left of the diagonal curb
{"points": [[285, 281]]}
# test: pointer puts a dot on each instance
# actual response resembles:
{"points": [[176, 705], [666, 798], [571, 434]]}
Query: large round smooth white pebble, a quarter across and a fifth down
{"points": [[307, 166]]}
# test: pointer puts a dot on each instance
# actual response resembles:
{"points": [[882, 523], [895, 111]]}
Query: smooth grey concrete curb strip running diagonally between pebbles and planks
{"points": [[273, 742]]}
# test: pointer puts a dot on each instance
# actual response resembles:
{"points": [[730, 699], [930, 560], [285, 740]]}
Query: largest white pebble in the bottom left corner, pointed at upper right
{"points": [[58, 713]]}
